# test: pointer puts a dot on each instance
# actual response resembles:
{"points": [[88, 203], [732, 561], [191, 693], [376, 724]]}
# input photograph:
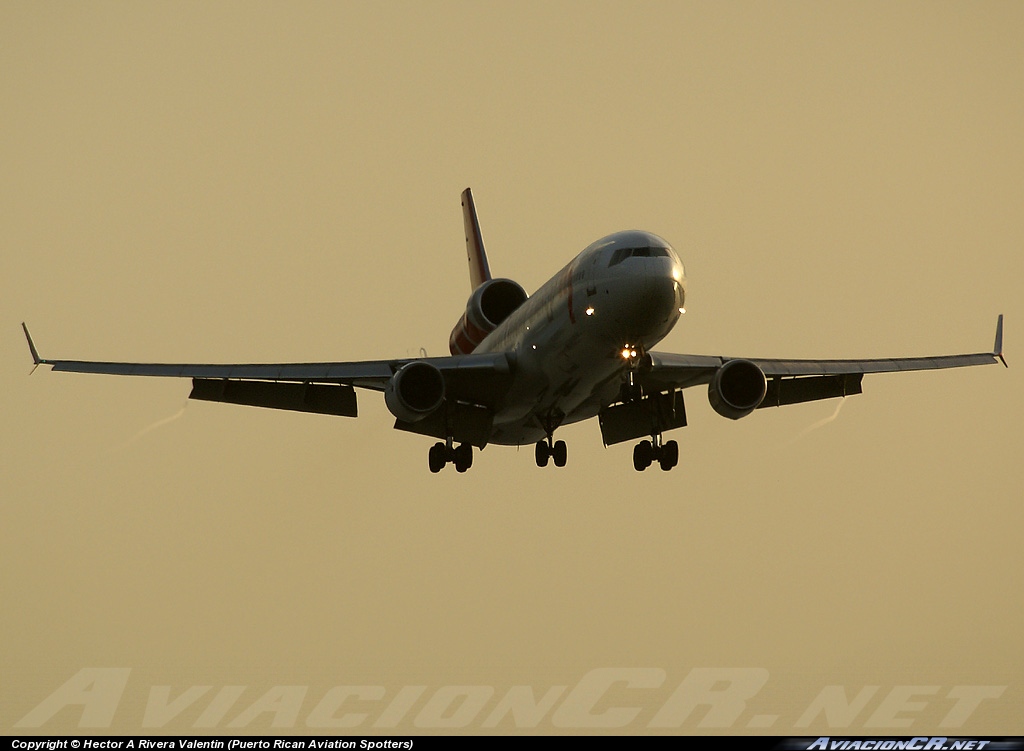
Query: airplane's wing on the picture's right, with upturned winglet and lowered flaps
{"points": [[791, 382]]}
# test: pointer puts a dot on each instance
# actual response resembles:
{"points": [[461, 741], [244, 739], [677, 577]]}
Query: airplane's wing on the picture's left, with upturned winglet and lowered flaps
{"points": [[321, 388]]}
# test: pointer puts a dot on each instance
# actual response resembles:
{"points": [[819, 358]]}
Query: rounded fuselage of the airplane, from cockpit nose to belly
{"points": [[622, 295]]}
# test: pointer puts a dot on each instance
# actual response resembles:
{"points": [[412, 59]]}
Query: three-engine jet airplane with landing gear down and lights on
{"points": [[523, 366]]}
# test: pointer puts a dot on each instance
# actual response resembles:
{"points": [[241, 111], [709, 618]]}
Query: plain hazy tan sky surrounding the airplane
{"points": [[263, 183]]}
